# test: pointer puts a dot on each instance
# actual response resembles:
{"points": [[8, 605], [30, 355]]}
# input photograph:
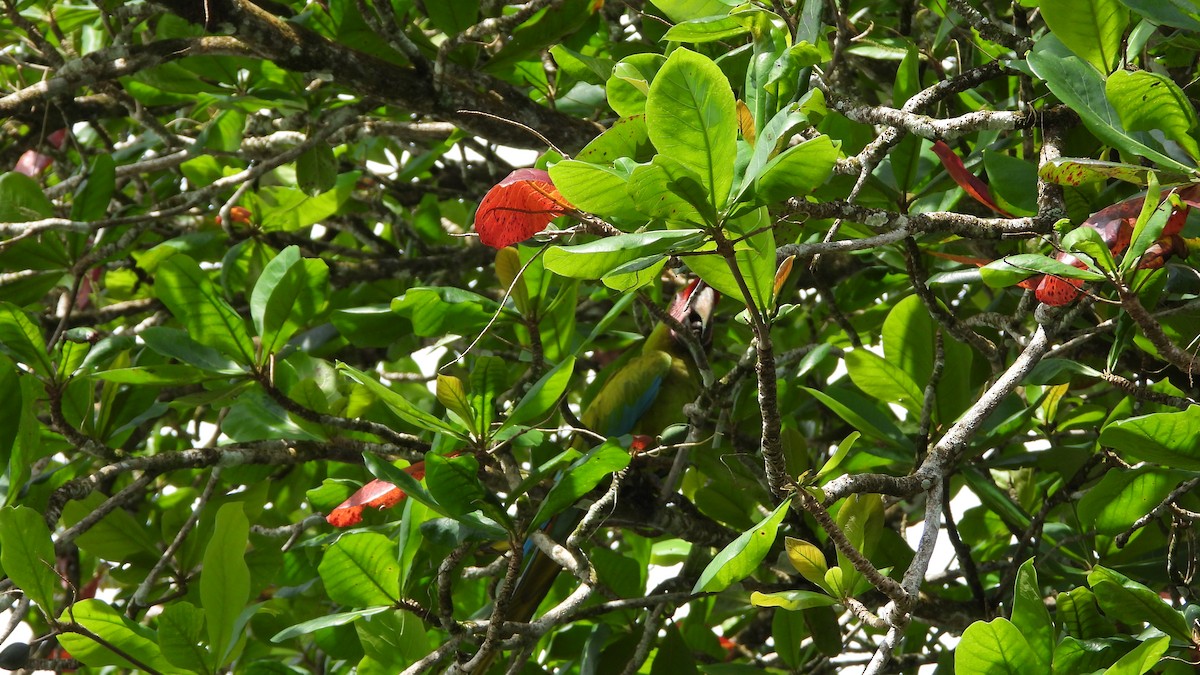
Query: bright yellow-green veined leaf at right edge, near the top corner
{"points": [[1148, 101]]}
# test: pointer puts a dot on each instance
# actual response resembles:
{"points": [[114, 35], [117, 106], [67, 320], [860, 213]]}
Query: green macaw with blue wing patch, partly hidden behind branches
{"points": [[644, 397]]}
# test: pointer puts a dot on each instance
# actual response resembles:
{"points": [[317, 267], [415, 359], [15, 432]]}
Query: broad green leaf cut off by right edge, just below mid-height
{"points": [[1162, 438]]}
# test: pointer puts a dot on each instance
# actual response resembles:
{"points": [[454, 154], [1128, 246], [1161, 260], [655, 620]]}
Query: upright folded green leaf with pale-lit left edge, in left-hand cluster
{"points": [[291, 292]]}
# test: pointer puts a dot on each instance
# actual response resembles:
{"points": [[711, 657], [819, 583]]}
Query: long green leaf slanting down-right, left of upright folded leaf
{"points": [[206, 315]]}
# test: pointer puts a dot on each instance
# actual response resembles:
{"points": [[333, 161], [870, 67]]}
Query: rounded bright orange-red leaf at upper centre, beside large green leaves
{"points": [[518, 208]]}
